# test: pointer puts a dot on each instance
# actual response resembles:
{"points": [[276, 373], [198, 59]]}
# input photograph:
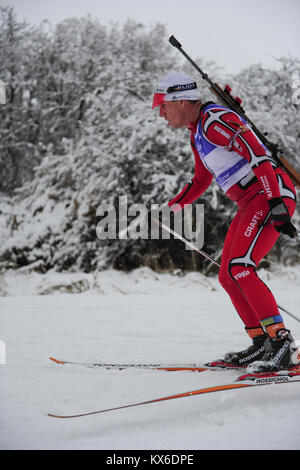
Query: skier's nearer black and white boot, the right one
{"points": [[283, 354]]}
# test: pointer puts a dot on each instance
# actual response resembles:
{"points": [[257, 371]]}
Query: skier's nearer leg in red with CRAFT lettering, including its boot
{"points": [[245, 257]]}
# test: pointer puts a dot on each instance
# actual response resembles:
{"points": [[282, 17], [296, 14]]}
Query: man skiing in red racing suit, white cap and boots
{"points": [[225, 148]]}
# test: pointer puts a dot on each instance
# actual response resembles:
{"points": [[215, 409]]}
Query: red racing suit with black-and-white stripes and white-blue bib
{"points": [[226, 148]]}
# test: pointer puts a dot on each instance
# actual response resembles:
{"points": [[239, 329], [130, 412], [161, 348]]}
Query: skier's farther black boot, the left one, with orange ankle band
{"points": [[255, 352]]}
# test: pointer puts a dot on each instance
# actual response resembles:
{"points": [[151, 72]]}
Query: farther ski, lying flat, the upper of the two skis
{"points": [[214, 365]]}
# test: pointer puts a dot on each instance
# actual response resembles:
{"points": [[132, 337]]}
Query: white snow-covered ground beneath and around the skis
{"points": [[141, 316]]}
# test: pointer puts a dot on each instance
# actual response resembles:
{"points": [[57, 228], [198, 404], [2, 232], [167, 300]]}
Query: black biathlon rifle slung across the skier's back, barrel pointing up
{"points": [[235, 104]]}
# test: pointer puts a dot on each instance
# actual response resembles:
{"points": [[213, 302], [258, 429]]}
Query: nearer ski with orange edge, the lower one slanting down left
{"points": [[243, 381]]}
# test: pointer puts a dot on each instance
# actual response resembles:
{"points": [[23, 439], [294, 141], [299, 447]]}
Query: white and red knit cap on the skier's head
{"points": [[176, 86]]}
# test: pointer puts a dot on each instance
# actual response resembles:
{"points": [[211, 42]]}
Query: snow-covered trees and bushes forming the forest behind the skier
{"points": [[77, 131]]}
